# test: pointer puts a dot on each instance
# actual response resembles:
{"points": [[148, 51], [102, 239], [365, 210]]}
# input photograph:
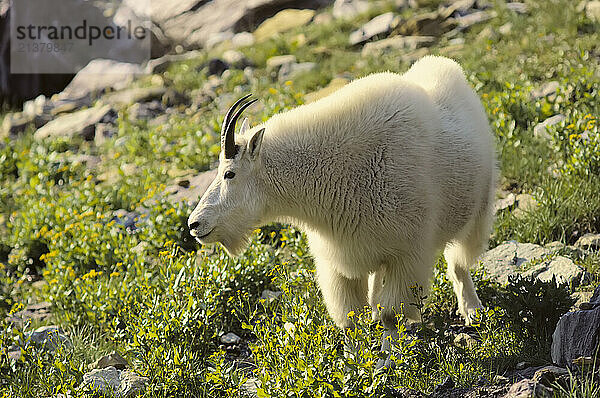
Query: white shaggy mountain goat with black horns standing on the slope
{"points": [[381, 175]]}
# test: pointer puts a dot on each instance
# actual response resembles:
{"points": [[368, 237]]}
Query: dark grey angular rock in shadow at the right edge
{"points": [[576, 335]]}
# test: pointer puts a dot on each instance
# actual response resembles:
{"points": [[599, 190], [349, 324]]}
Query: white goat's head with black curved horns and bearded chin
{"points": [[233, 204]]}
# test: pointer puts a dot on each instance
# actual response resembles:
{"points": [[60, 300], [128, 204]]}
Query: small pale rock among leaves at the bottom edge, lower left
{"points": [[110, 381]]}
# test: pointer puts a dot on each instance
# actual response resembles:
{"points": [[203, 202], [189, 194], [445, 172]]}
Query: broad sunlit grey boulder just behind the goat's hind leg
{"points": [[528, 259]]}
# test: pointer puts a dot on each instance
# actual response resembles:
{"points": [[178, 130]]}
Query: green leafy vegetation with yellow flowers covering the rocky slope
{"points": [[149, 292]]}
